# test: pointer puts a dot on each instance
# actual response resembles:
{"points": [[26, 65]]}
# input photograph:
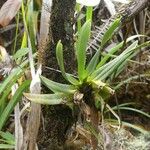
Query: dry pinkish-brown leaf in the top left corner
{"points": [[8, 11]]}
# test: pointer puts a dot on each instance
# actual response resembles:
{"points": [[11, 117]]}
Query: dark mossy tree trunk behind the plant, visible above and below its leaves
{"points": [[58, 119]]}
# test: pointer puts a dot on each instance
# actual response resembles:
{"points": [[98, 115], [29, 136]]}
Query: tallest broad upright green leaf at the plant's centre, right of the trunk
{"points": [[81, 46]]}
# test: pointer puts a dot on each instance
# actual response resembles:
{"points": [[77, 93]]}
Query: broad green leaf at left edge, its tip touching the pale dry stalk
{"points": [[14, 100]]}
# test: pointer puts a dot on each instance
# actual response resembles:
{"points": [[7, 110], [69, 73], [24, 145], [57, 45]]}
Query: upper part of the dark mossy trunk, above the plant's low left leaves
{"points": [[61, 28]]}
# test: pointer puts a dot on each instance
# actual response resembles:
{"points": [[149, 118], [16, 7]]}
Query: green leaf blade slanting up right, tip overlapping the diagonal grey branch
{"points": [[109, 33]]}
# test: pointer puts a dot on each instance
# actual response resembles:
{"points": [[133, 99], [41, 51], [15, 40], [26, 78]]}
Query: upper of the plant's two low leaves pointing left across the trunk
{"points": [[57, 87]]}
